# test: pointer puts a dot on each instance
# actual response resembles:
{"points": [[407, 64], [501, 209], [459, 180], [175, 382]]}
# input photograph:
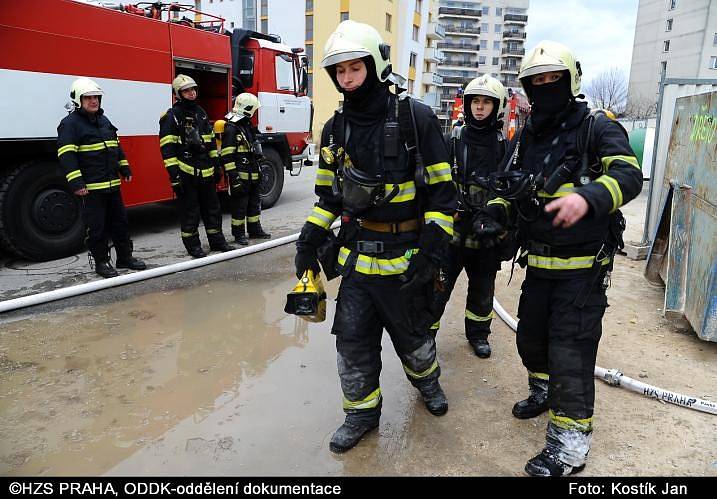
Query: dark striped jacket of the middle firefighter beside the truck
{"points": [[186, 139]]}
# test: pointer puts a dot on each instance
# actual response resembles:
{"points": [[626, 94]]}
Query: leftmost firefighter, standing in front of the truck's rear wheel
{"points": [[92, 159]]}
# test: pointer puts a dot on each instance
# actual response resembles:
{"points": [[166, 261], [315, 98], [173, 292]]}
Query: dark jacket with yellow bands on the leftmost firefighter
{"points": [[89, 152]]}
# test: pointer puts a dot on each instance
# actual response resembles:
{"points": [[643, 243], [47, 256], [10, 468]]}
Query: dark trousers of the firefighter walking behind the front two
{"points": [[481, 266]]}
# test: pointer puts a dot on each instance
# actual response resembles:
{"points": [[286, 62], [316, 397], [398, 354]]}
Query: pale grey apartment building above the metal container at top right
{"points": [[677, 36]]}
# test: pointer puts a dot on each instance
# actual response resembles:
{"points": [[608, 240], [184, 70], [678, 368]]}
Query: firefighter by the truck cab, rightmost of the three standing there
{"points": [[240, 157]]}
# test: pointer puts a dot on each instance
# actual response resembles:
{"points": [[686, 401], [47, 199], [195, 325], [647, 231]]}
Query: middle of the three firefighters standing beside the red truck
{"points": [[187, 142]]}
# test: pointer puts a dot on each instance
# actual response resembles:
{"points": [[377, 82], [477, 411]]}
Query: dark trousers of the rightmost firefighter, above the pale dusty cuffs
{"points": [[558, 338]]}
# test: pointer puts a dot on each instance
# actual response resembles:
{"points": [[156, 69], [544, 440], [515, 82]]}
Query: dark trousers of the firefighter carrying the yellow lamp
{"points": [[366, 305]]}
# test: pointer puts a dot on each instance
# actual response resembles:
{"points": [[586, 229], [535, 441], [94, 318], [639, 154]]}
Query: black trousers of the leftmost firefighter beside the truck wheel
{"points": [[105, 217]]}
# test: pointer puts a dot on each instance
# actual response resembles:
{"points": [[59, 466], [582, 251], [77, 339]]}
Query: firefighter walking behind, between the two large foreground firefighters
{"points": [[476, 149]]}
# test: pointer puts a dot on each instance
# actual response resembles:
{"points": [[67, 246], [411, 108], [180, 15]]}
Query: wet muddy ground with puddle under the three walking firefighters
{"points": [[203, 373]]}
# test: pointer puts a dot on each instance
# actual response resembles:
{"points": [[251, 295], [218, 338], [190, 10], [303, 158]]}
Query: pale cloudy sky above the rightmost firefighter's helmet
{"points": [[600, 32]]}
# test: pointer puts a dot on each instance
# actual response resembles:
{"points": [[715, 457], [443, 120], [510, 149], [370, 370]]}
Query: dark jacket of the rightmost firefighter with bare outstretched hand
{"points": [[614, 179]]}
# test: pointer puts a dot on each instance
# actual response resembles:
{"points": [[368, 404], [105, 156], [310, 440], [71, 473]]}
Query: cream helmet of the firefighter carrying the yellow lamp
{"points": [[354, 40]]}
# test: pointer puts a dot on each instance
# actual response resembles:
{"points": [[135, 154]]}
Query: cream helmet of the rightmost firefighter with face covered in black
{"points": [[550, 56]]}
